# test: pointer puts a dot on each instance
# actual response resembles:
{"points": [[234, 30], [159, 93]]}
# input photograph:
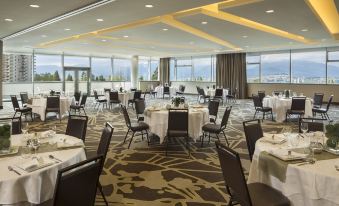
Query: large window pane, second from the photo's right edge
{"points": [[308, 67]]}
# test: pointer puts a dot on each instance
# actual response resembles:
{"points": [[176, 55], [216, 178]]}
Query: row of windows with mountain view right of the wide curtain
{"points": [[307, 66]]}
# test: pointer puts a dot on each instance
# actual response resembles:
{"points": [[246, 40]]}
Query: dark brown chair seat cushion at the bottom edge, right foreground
{"points": [[262, 194]]}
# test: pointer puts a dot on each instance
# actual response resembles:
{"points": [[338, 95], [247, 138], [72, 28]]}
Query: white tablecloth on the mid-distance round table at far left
{"points": [[39, 106]]}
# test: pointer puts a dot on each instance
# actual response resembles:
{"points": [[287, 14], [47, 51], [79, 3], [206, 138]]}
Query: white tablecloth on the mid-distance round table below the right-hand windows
{"points": [[281, 105]]}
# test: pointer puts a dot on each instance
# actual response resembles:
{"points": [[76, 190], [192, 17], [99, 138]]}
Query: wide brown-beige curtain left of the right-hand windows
{"points": [[231, 72]]}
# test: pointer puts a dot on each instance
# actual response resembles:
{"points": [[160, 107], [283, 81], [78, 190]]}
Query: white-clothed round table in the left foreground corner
{"points": [[37, 186]]}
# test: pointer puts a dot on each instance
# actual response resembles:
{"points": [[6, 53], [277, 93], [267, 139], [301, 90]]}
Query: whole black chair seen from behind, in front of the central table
{"points": [[178, 126]]}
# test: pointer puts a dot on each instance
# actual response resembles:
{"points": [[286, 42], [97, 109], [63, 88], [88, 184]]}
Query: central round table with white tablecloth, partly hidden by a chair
{"points": [[158, 122]]}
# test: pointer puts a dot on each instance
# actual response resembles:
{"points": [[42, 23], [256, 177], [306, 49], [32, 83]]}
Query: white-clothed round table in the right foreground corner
{"points": [[310, 185]]}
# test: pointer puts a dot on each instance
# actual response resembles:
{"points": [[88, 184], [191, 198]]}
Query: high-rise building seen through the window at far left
{"points": [[17, 68]]}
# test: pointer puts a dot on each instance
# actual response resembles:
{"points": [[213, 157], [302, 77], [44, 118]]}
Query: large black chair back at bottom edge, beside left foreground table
{"points": [[77, 184]]}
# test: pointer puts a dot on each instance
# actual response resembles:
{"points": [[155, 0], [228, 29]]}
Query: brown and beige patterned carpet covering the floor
{"points": [[143, 175]]}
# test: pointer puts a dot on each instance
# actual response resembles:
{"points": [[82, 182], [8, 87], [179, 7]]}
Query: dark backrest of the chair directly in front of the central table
{"points": [[178, 120]]}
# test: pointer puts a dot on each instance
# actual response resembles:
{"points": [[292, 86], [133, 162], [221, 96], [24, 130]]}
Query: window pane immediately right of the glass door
{"points": [[101, 69]]}
